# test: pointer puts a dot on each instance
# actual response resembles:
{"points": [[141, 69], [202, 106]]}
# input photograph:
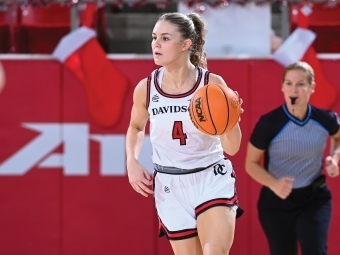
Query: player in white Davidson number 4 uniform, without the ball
{"points": [[193, 184]]}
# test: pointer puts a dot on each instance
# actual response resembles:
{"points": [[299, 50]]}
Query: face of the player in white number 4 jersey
{"points": [[167, 44]]}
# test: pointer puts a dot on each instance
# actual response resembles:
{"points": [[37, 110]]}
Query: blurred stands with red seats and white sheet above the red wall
{"points": [[122, 26]]}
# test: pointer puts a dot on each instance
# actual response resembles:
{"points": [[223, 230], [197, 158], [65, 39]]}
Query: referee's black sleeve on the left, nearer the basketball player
{"points": [[267, 127]]}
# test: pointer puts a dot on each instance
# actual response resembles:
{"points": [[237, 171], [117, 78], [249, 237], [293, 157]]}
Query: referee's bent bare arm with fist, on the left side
{"points": [[281, 187]]}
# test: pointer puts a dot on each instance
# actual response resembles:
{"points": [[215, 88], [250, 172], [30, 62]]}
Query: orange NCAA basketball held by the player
{"points": [[214, 109]]}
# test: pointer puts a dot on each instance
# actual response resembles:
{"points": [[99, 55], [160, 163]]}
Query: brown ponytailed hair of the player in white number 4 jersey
{"points": [[191, 26]]}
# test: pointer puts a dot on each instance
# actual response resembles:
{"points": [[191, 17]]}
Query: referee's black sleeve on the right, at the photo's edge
{"points": [[328, 119]]}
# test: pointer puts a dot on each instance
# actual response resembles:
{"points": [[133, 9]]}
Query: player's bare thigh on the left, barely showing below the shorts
{"points": [[189, 246]]}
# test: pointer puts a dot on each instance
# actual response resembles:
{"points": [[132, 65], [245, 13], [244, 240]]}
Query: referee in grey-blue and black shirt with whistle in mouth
{"points": [[295, 203]]}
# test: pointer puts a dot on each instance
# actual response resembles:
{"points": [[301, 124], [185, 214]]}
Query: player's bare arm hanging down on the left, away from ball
{"points": [[139, 177]]}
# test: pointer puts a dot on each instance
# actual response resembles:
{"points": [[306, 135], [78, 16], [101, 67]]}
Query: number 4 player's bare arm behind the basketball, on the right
{"points": [[231, 141]]}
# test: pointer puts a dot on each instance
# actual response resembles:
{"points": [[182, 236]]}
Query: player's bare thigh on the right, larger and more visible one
{"points": [[216, 228]]}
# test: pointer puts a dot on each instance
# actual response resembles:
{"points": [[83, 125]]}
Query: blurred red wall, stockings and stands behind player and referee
{"points": [[65, 109]]}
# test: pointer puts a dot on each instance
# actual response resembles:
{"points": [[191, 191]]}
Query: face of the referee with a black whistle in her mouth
{"points": [[296, 88]]}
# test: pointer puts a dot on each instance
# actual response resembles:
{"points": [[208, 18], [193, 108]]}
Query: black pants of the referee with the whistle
{"points": [[304, 218]]}
